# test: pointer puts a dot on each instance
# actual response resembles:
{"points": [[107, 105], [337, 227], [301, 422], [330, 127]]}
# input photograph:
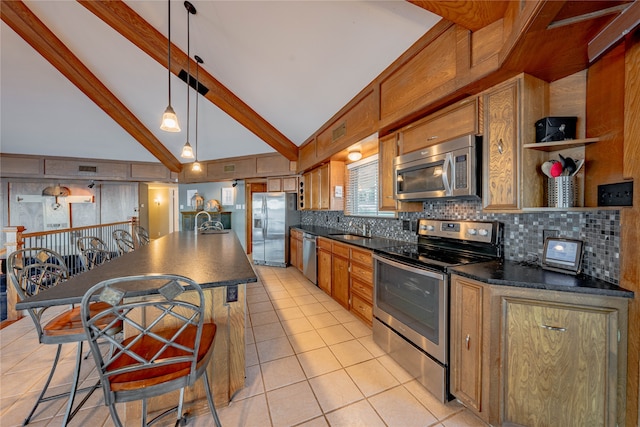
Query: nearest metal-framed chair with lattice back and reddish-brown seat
{"points": [[170, 346]]}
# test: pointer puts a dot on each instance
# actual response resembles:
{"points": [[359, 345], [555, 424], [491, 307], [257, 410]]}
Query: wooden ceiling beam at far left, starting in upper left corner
{"points": [[28, 26]]}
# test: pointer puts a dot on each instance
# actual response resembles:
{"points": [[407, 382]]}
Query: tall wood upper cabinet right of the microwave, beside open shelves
{"points": [[510, 112]]}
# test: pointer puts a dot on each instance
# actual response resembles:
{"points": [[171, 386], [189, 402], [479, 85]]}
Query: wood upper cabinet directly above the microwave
{"points": [[457, 120]]}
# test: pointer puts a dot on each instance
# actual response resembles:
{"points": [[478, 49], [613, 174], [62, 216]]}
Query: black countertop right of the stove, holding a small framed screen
{"points": [[509, 273]]}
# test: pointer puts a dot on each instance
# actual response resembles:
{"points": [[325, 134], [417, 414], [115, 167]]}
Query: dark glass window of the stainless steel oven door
{"points": [[410, 298]]}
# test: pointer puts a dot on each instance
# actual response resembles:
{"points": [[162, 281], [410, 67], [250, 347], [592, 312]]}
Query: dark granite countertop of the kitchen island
{"points": [[211, 260]]}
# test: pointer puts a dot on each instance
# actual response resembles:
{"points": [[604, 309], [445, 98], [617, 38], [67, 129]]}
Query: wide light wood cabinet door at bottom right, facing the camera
{"points": [[559, 364]]}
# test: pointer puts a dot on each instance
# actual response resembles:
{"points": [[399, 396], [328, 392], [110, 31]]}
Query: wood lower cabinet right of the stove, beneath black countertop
{"points": [[526, 357]]}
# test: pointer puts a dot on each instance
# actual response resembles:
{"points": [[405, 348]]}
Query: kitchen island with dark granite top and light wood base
{"points": [[218, 263]]}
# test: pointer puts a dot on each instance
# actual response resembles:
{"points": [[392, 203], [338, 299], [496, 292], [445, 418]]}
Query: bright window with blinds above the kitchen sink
{"points": [[362, 189]]}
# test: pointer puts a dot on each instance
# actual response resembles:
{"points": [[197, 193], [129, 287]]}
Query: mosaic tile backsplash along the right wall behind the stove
{"points": [[523, 232]]}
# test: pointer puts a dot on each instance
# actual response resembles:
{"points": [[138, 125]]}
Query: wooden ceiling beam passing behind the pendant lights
{"points": [[130, 25]]}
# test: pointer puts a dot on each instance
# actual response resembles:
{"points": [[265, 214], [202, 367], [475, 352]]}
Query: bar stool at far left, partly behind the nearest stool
{"points": [[31, 271]]}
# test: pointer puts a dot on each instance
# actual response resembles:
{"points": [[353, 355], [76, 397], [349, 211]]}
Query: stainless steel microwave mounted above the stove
{"points": [[444, 170]]}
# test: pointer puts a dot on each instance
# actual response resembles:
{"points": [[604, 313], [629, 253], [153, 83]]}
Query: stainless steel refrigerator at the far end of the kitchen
{"points": [[272, 215]]}
